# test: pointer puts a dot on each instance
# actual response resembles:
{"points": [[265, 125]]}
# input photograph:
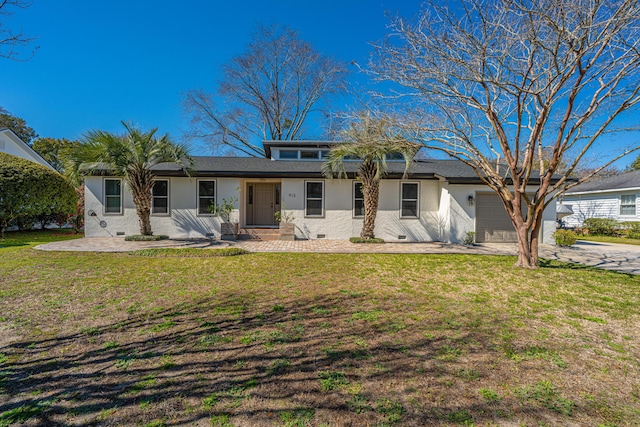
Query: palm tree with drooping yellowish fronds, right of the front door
{"points": [[371, 142]]}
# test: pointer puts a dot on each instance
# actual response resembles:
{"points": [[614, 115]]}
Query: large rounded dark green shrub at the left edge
{"points": [[30, 190]]}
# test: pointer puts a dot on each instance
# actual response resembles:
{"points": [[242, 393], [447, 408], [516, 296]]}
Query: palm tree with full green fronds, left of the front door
{"points": [[132, 156]]}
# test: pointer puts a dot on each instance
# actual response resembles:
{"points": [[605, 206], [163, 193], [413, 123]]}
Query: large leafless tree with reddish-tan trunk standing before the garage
{"points": [[501, 83]]}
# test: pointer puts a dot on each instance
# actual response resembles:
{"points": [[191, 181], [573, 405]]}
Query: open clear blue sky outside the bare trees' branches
{"points": [[102, 62]]}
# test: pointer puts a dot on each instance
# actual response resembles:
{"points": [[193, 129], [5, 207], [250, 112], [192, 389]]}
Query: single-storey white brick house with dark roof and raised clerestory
{"points": [[440, 200]]}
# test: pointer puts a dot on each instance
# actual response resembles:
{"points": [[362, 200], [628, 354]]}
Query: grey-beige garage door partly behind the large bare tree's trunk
{"points": [[493, 224]]}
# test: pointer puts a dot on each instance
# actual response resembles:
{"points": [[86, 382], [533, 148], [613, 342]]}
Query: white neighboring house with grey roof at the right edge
{"points": [[615, 197]]}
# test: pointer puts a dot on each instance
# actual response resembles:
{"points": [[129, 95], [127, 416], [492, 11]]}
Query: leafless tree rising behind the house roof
{"points": [[267, 92]]}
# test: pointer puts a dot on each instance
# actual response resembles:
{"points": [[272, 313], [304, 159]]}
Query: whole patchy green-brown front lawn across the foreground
{"points": [[314, 340]]}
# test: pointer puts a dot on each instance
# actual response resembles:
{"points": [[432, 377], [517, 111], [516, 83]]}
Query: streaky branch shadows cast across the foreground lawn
{"points": [[337, 360]]}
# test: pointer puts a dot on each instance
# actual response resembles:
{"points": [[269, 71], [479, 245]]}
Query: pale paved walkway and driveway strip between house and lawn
{"points": [[623, 258]]}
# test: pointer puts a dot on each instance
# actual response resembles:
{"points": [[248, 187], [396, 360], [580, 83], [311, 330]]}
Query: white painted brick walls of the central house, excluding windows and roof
{"points": [[445, 213]]}
